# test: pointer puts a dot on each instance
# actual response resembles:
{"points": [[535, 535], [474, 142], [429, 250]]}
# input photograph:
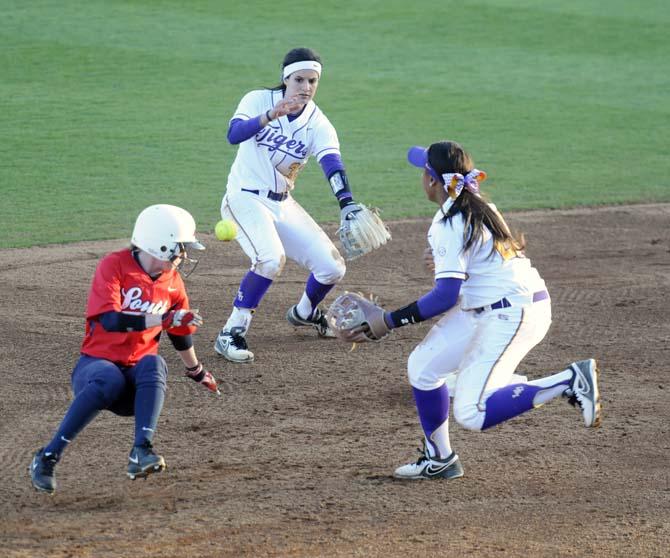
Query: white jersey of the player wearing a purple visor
{"points": [[486, 277]]}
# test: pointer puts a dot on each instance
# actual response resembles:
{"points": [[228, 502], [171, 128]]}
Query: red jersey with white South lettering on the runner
{"points": [[121, 285]]}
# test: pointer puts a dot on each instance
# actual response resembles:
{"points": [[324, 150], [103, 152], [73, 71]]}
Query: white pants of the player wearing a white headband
{"points": [[270, 231]]}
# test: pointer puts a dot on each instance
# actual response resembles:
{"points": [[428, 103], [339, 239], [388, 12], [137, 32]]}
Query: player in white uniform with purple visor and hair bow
{"points": [[504, 312]]}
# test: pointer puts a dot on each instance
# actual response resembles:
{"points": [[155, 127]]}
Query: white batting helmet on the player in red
{"points": [[165, 232]]}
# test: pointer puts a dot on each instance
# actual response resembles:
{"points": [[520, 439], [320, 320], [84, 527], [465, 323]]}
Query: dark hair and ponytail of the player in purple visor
{"points": [[448, 156]]}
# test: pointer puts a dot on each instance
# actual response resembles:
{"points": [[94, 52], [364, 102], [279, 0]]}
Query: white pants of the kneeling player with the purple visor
{"points": [[483, 350]]}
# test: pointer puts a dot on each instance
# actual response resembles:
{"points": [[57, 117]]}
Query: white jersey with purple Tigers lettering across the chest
{"points": [[272, 158]]}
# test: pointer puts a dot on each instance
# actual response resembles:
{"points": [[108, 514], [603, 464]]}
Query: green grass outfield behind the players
{"points": [[109, 106]]}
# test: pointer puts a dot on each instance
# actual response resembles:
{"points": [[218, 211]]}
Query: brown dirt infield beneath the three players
{"points": [[295, 459]]}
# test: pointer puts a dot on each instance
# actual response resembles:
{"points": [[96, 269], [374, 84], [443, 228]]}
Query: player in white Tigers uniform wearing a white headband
{"points": [[277, 131]]}
